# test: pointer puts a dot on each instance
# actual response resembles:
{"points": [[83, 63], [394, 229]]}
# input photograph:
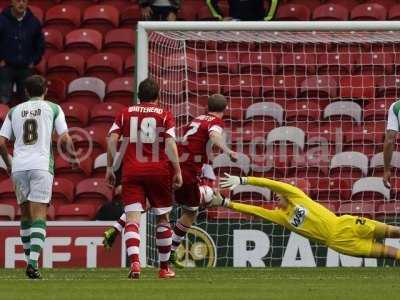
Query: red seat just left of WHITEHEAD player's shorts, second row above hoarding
{"points": [[93, 191]]}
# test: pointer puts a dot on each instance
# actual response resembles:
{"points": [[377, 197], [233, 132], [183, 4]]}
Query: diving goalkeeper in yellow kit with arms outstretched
{"points": [[350, 235]]}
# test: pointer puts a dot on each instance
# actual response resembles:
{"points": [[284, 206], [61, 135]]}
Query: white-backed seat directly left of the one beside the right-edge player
{"points": [[349, 165]]}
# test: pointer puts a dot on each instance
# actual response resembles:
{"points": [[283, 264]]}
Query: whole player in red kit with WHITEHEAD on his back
{"points": [[150, 170]]}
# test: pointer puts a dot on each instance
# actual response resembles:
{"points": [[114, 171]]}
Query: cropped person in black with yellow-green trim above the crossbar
{"points": [[244, 10]]}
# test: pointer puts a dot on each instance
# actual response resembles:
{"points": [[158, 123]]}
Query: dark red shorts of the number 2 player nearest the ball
{"points": [[189, 194]]}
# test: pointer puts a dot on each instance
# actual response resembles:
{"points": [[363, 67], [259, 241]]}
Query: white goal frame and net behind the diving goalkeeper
{"points": [[306, 106]]}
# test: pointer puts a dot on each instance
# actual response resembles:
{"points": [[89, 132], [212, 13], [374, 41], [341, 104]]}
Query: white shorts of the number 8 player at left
{"points": [[33, 185]]}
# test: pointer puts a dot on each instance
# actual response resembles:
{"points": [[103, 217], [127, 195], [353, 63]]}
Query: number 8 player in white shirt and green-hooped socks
{"points": [[31, 124]]}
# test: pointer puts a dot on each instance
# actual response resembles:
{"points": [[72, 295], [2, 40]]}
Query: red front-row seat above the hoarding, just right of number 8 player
{"points": [[76, 212]]}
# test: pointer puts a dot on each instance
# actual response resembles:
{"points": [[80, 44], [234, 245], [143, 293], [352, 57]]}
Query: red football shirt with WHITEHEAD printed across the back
{"points": [[146, 126]]}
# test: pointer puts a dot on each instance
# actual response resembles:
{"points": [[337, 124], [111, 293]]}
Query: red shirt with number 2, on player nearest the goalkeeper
{"points": [[194, 146]]}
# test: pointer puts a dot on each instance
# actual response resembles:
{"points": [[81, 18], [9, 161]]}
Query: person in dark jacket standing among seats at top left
{"points": [[21, 47]]}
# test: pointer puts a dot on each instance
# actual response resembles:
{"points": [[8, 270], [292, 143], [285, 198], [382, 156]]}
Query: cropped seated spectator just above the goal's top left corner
{"points": [[156, 10]]}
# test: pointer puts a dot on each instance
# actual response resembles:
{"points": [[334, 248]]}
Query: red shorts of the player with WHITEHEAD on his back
{"points": [[156, 188]]}
